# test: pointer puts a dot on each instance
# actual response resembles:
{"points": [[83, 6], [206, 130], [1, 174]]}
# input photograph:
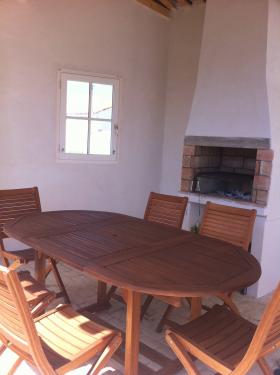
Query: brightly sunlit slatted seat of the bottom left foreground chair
{"points": [[65, 333]]}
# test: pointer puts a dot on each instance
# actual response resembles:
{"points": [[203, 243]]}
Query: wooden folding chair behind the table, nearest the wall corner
{"points": [[169, 210]]}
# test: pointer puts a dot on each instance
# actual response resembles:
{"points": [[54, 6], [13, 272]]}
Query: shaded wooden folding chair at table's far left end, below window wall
{"points": [[15, 203]]}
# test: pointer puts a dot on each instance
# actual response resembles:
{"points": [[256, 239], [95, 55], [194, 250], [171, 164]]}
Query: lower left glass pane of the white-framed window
{"points": [[76, 136]]}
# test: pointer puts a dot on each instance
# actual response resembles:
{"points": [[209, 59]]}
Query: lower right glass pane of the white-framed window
{"points": [[100, 137]]}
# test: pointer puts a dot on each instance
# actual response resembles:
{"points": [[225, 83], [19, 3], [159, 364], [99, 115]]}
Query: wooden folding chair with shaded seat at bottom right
{"points": [[226, 342]]}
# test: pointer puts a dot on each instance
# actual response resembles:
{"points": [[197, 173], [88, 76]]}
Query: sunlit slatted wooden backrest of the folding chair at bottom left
{"points": [[16, 323]]}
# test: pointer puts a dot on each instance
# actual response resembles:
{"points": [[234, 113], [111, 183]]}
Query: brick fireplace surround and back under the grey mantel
{"points": [[255, 164]]}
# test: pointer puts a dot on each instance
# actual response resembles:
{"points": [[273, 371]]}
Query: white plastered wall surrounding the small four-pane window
{"points": [[120, 38]]}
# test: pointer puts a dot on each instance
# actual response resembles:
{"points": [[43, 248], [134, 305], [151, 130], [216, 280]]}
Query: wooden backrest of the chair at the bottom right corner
{"points": [[266, 336]]}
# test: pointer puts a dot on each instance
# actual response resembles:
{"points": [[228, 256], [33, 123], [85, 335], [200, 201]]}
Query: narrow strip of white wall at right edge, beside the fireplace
{"points": [[270, 260]]}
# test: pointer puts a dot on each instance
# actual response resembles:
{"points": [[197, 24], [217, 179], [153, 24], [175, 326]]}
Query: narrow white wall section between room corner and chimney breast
{"points": [[184, 50]]}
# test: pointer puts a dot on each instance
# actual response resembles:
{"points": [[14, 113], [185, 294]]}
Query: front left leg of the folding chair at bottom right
{"points": [[181, 353]]}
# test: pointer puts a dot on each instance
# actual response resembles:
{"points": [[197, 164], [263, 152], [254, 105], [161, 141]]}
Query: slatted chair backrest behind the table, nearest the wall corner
{"points": [[166, 209]]}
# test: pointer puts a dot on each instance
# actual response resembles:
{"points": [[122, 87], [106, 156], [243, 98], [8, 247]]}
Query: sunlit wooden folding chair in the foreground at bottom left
{"points": [[56, 342]]}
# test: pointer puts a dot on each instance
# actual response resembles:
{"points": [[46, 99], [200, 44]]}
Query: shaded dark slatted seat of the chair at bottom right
{"points": [[220, 334]]}
